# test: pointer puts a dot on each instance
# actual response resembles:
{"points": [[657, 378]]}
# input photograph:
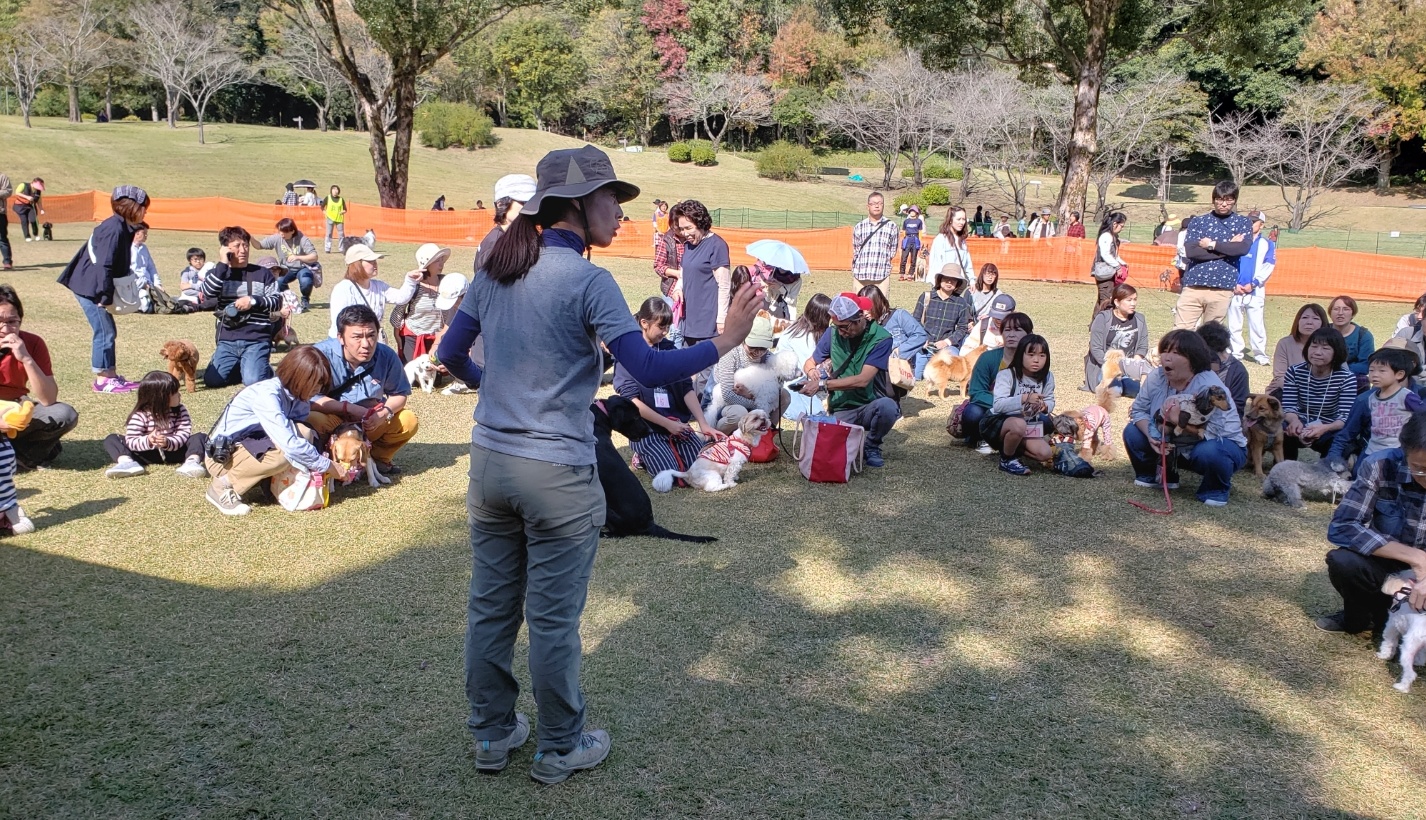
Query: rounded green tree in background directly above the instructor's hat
{"points": [[543, 68]]}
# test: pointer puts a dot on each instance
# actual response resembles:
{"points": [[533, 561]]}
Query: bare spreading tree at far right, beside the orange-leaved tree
{"points": [[1321, 140]]}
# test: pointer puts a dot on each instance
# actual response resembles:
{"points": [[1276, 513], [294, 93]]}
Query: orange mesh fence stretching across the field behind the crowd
{"points": [[1301, 272]]}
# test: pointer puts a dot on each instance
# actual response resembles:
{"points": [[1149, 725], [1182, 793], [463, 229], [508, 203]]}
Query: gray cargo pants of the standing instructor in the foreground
{"points": [[534, 535]]}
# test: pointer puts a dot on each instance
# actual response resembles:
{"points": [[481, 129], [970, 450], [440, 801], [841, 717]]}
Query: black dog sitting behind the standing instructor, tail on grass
{"points": [[628, 510]]}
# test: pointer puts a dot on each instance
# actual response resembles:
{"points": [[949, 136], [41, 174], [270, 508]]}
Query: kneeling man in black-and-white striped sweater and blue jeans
{"points": [[247, 296]]}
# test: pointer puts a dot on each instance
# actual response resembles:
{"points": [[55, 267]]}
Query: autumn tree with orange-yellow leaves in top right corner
{"points": [[1380, 45]]}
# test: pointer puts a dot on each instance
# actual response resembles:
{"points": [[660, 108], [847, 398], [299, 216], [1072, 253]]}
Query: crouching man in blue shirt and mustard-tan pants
{"points": [[371, 389]]}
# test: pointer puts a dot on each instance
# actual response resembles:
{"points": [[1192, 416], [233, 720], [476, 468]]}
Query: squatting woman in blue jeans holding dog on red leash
{"points": [[1186, 367]]}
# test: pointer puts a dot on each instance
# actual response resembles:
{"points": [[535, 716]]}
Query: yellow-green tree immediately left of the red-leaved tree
{"points": [[624, 71]]}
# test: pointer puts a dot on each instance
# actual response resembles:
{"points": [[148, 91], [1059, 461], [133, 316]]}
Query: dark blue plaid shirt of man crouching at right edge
{"points": [[1384, 506]]}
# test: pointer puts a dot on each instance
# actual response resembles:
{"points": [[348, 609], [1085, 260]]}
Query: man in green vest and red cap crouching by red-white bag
{"points": [[851, 364]]}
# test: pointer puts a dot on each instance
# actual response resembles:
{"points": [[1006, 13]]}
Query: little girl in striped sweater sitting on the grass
{"points": [[159, 431]]}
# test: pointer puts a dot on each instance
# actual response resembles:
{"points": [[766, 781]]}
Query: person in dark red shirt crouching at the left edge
{"points": [[28, 376]]}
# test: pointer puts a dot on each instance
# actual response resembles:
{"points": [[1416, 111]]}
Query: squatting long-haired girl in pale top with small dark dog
{"points": [[1025, 399]]}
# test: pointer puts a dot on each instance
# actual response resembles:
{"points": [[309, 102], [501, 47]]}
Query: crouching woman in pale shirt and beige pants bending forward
{"points": [[263, 424]]}
